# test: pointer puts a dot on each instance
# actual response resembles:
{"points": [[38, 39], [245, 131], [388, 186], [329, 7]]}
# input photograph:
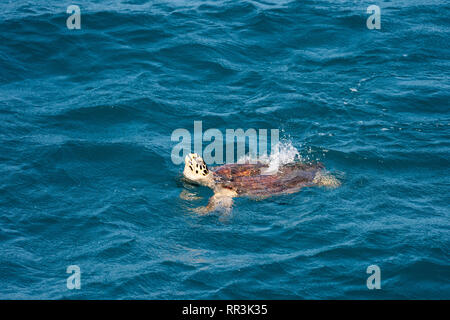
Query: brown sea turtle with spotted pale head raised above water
{"points": [[252, 180]]}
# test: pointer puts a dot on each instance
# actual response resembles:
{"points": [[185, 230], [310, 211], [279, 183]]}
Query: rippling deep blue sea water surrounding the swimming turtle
{"points": [[87, 178]]}
